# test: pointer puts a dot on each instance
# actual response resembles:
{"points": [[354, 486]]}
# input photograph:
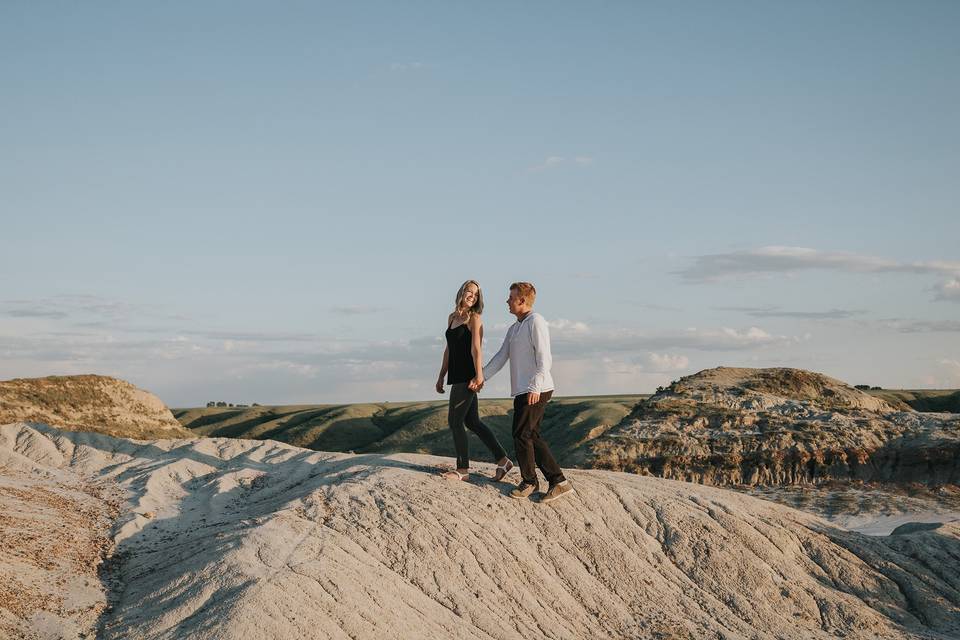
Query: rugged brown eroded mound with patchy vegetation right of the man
{"points": [[779, 426]]}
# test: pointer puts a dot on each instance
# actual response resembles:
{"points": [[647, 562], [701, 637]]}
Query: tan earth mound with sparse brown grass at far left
{"points": [[89, 403]]}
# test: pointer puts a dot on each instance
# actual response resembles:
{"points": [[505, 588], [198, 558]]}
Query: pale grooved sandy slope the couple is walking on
{"points": [[251, 539]]}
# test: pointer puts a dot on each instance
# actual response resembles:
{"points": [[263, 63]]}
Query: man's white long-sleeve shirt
{"points": [[527, 346]]}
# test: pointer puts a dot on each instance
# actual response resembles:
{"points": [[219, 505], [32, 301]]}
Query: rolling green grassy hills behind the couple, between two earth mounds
{"points": [[416, 427]]}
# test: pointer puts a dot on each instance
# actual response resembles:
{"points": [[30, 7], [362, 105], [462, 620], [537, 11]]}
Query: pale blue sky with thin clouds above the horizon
{"points": [[249, 202]]}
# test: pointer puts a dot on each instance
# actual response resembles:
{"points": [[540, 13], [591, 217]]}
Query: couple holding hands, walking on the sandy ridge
{"points": [[527, 347]]}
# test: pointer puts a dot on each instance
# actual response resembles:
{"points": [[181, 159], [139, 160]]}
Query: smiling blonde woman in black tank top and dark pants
{"points": [[463, 361]]}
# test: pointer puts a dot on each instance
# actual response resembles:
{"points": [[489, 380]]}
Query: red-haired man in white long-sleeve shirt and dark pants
{"points": [[527, 346]]}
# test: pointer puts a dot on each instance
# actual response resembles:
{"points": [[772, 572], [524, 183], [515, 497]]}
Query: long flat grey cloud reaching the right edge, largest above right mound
{"points": [[783, 260]]}
